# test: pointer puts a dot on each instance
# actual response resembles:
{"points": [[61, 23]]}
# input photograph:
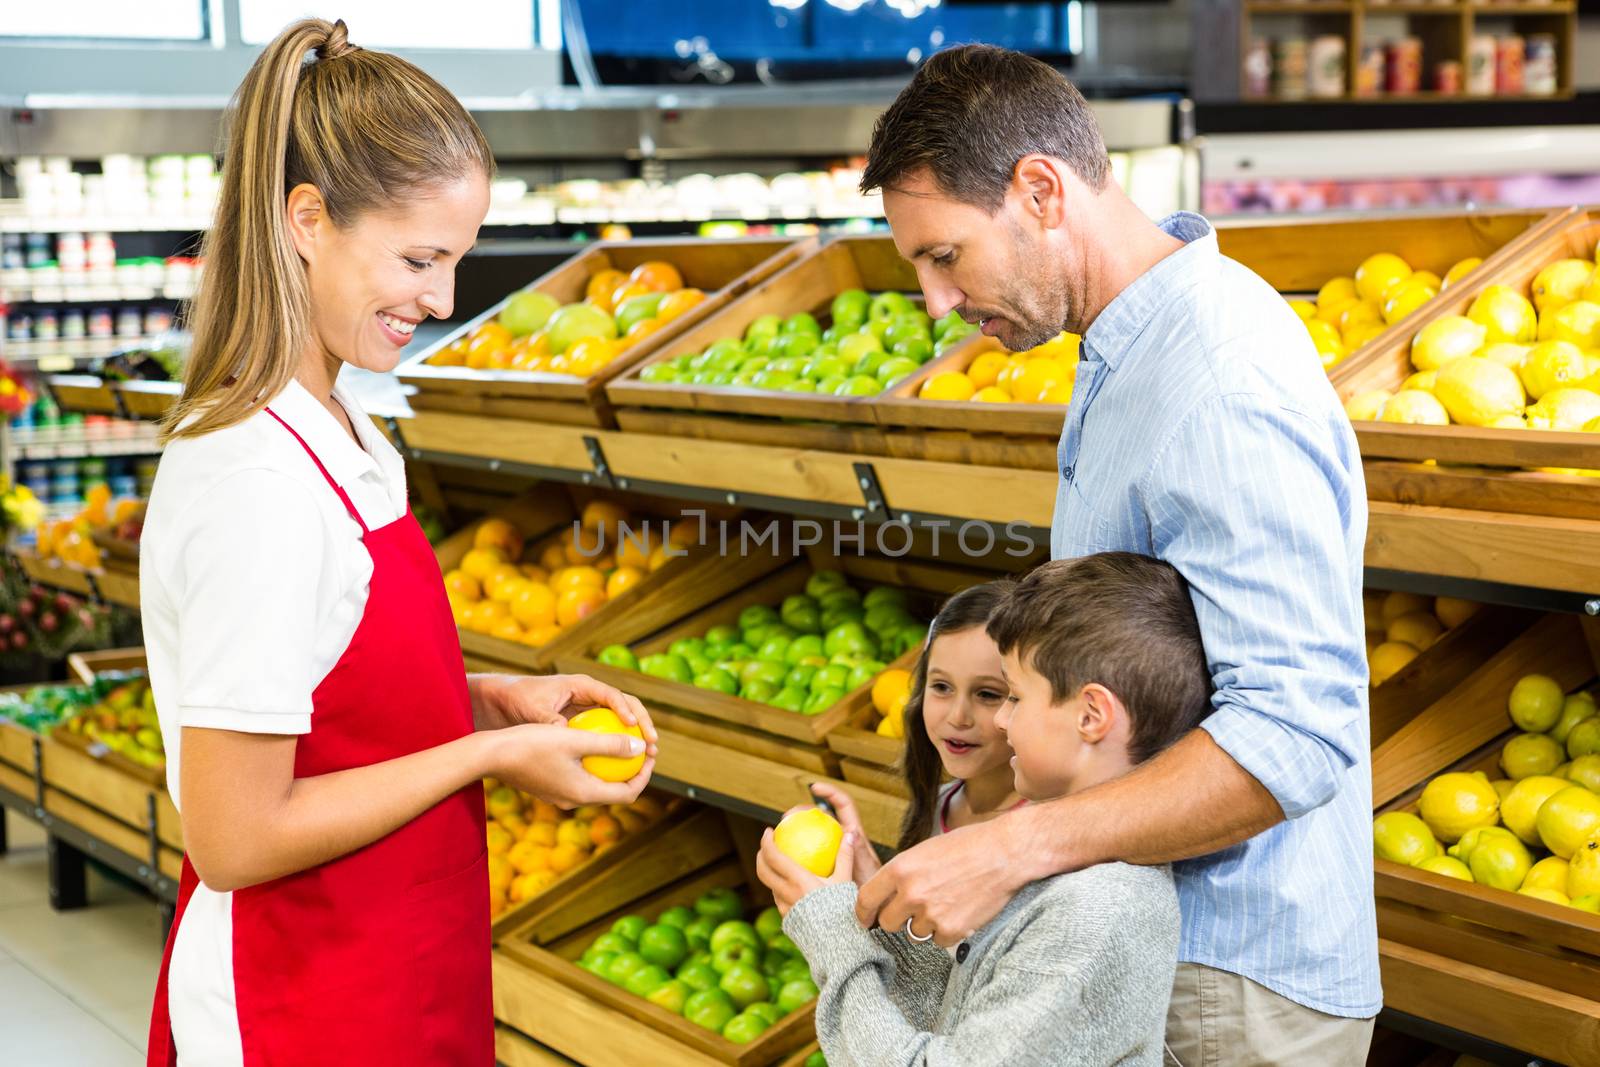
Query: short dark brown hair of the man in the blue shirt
{"points": [[970, 114]]}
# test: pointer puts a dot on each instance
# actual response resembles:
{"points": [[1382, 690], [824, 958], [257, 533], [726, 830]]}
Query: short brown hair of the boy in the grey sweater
{"points": [[1119, 620]]}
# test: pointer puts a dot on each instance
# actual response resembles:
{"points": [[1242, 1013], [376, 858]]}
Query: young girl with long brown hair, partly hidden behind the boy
{"points": [[956, 690]]}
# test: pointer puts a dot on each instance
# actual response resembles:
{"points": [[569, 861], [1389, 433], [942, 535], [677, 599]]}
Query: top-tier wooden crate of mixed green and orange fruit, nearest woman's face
{"points": [[722, 268]]}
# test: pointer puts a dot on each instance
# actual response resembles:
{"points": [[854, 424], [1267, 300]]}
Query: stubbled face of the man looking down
{"points": [[993, 270]]}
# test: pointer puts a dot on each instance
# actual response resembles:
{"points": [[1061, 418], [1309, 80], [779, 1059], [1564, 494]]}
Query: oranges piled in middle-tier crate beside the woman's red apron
{"points": [[530, 593]]}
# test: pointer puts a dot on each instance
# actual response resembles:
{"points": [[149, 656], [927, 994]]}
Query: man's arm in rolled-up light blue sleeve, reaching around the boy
{"points": [[1252, 513]]}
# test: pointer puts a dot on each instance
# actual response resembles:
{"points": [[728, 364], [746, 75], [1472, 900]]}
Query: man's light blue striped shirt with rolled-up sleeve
{"points": [[1204, 431]]}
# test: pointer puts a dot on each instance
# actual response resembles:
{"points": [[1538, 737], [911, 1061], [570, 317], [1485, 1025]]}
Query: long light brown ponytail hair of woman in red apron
{"points": [[366, 129]]}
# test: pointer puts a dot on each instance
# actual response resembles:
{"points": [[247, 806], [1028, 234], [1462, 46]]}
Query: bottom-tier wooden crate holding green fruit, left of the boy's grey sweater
{"points": [[543, 993]]}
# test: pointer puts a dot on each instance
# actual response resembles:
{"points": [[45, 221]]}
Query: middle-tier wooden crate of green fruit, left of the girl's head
{"points": [[759, 729]]}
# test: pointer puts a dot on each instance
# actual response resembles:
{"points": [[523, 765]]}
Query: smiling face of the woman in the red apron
{"points": [[375, 281]]}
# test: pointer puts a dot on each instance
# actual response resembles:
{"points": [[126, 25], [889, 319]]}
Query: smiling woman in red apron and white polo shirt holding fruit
{"points": [[324, 743]]}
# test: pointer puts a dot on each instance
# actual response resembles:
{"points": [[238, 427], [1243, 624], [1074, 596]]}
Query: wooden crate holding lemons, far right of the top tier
{"points": [[1386, 364]]}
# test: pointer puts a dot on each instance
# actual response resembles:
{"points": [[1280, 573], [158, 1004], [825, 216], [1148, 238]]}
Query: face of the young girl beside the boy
{"points": [[964, 690]]}
